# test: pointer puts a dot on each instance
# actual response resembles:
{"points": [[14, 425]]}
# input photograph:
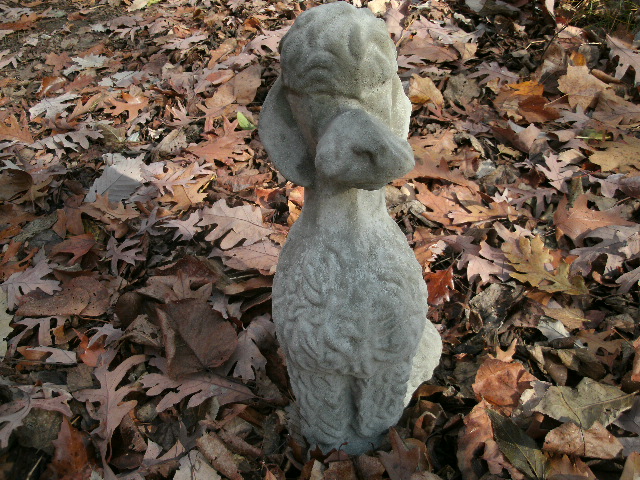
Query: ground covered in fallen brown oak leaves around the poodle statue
{"points": [[141, 223]]}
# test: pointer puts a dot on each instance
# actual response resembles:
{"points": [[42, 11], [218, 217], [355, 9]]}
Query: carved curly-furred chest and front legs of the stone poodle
{"points": [[349, 321]]}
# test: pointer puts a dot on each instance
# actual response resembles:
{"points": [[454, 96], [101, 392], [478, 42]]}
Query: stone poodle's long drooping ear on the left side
{"points": [[283, 140]]}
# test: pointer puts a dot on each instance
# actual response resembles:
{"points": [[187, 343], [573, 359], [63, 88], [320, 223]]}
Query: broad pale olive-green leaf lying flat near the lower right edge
{"points": [[586, 404]]}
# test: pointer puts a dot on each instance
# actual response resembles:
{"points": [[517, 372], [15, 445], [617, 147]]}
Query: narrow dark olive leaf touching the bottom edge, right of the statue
{"points": [[520, 449]]}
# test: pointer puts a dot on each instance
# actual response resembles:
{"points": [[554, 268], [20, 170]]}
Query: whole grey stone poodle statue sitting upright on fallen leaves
{"points": [[349, 300]]}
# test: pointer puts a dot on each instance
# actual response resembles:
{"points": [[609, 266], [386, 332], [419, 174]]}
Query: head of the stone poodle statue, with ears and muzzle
{"points": [[337, 114]]}
